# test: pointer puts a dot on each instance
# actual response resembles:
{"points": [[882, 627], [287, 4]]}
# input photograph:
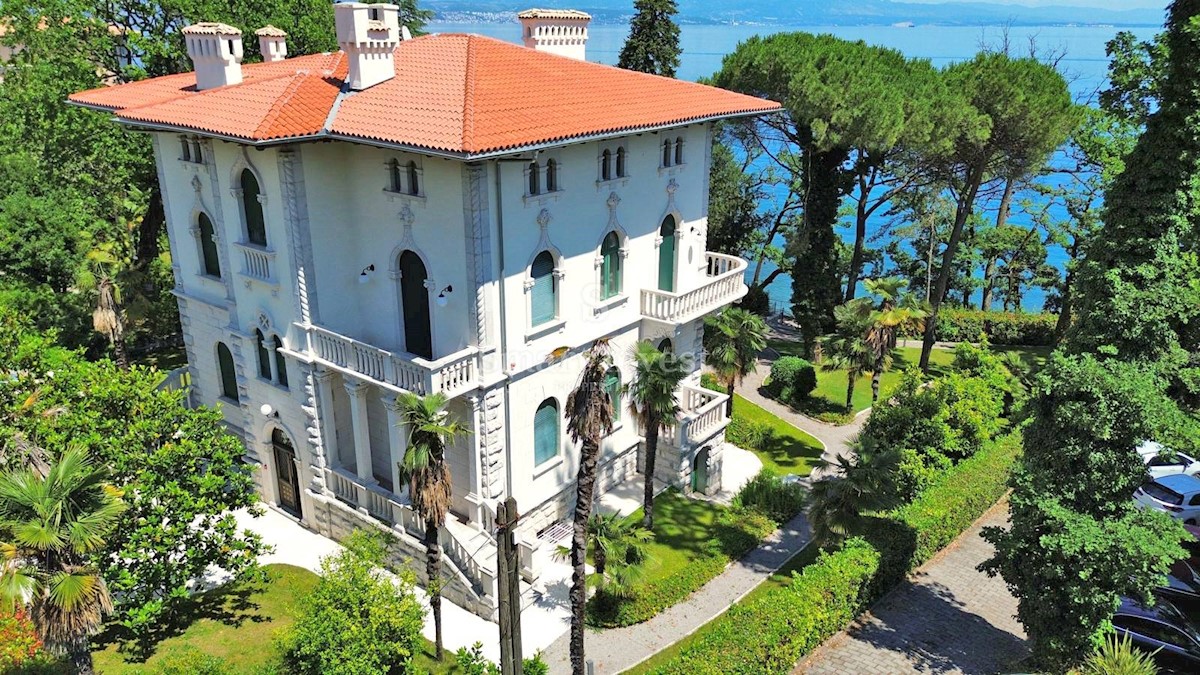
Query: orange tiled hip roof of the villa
{"points": [[457, 94]]}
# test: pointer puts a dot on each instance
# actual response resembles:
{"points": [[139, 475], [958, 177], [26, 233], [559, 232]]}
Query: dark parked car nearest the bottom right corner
{"points": [[1163, 631]]}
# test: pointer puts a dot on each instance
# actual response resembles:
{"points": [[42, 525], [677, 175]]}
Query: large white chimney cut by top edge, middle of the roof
{"points": [[369, 34]]}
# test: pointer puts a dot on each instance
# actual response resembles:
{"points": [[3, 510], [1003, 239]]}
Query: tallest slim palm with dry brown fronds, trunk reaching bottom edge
{"points": [[589, 421]]}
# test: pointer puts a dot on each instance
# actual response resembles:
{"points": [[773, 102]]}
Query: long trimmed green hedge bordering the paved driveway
{"points": [[772, 632]]}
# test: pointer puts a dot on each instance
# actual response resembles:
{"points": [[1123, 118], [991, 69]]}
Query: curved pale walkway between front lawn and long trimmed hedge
{"points": [[617, 649]]}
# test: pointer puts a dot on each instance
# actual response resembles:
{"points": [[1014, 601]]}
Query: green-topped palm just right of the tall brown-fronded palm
{"points": [[652, 395]]}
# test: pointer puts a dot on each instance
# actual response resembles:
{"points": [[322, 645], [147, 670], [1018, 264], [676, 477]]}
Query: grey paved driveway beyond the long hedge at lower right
{"points": [[947, 618]]}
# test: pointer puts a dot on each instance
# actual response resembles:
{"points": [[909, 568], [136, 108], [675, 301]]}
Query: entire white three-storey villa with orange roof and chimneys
{"points": [[443, 214]]}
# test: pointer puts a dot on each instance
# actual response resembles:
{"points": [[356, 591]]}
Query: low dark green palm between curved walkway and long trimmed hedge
{"points": [[853, 485]]}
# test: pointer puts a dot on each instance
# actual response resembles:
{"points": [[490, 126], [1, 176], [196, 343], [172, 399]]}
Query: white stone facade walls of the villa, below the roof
{"points": [[339, 222]]}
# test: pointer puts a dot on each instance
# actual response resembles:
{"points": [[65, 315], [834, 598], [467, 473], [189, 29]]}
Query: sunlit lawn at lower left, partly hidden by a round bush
{"points": [[236, 624]]}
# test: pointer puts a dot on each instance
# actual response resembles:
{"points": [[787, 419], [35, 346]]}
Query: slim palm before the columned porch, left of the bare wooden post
{"points": [[428, 475]]}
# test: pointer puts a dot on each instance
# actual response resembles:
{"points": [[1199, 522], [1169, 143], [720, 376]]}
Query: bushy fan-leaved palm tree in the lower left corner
{"points": [[50, 528]]}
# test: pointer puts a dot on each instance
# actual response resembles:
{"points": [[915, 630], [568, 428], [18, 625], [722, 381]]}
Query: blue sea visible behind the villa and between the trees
{"points": [[1078, 50]]}
